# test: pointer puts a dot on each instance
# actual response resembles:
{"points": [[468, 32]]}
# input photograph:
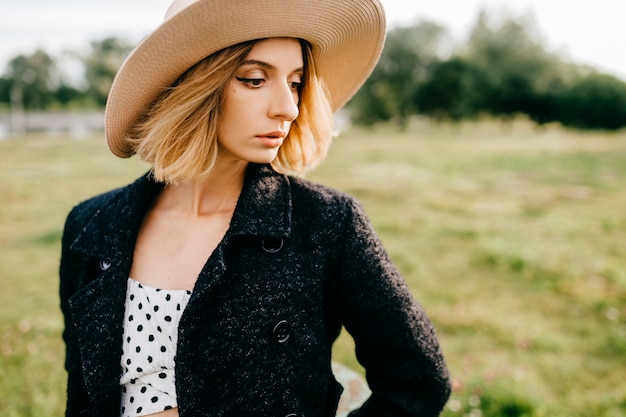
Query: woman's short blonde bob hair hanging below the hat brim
{"points": [[178, 134]]}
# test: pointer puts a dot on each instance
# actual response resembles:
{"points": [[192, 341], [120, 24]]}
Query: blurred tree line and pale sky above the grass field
{"points": [[447, 60]]}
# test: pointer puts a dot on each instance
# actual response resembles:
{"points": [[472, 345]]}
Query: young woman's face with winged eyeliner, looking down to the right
{"points": [[261, 101]]}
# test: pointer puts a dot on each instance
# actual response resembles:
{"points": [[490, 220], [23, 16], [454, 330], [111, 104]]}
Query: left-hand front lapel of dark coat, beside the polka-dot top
{"points": [[98, 307]]}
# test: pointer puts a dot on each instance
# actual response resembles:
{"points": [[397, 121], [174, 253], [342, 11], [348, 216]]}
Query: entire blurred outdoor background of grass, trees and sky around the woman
{"points": [[488, 147]]}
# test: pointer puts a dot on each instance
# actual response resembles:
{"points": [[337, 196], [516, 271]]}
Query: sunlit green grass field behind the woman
{"points": [[513, 239]]}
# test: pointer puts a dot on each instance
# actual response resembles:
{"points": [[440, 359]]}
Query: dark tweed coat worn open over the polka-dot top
{"points": [[298, 261]]}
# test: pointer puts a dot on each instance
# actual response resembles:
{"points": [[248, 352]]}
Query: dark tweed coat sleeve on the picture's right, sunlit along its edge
{"points": [[395, 340]]}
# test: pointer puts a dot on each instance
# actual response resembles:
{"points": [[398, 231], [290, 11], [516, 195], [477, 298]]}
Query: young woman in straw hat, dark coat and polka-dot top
{"points": [[215, 285]]}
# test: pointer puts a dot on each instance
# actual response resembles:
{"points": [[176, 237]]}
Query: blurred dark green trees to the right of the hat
{"points": [[503, 70]]}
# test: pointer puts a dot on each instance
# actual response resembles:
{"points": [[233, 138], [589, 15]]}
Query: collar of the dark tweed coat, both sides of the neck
{"points": [[263, 209]]}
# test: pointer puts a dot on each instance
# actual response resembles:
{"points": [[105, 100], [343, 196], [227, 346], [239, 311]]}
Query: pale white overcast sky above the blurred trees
{"points": [[588, 32]]}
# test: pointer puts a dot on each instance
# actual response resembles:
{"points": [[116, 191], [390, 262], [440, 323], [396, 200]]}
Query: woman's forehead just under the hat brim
{"points": [[279, 52]]}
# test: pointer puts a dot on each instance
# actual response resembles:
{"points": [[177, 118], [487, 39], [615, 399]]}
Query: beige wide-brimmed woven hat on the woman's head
{"points": [[347, 37]]}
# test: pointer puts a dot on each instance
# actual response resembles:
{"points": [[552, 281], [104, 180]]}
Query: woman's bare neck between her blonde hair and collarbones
{"points": [[217, 192]]}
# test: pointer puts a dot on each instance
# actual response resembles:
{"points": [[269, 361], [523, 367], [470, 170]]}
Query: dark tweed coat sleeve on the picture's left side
{"points": [[72, 270]]}
